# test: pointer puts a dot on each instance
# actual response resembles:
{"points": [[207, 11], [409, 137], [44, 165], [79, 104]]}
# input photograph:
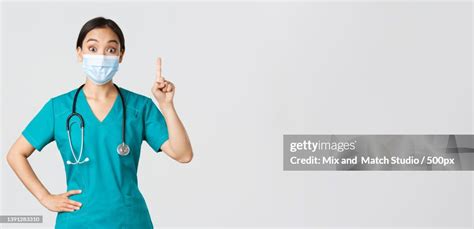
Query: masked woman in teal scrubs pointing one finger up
{"points": [[101, 159]]}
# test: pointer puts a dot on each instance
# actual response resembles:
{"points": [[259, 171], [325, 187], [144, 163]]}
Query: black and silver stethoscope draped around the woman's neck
{"points": [[122, 148]]}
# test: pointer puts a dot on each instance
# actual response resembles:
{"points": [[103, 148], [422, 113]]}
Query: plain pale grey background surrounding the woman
{"points": [[247, 73]]}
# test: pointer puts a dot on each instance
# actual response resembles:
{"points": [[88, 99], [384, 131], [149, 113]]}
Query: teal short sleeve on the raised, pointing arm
{"points": [[155, 129]]}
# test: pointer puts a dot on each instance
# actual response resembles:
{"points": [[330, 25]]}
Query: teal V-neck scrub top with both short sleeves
{"points": [[110, 195]]}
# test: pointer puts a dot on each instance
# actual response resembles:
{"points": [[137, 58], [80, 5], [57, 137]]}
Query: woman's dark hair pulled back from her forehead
{"points": [[100, 22]]}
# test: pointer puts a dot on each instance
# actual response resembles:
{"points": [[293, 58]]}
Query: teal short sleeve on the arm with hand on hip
{"points": [[40, 130]]}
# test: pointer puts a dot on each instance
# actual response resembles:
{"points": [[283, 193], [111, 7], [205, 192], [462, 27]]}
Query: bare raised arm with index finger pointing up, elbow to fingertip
{"points": [[178, 146]]}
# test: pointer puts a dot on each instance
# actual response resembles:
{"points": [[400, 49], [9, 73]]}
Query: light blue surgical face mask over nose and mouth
{"points": [[100, 68]]}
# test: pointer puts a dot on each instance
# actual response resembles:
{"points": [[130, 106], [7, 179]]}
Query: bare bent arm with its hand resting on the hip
{"points": [[17, 158]]}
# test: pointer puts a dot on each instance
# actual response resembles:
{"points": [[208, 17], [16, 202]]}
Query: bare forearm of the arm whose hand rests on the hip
{"points": [[25, 173]]}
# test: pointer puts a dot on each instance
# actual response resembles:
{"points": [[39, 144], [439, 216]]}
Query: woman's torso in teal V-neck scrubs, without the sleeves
{"points": [[108, 181]]}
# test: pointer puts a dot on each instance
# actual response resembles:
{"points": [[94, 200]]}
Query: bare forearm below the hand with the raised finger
{"points": [[178, 137]]}
